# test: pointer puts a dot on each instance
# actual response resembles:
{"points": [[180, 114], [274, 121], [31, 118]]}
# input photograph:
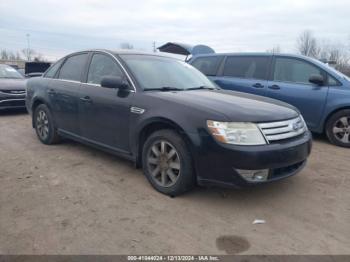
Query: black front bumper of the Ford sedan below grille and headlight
{"points": [[216, 163]]}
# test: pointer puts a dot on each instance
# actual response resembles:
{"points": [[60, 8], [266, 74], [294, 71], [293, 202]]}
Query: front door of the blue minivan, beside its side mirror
{"points": [[290, 83]]}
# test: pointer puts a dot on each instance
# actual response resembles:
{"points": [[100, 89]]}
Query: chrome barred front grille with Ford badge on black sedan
{"points": [[281, 130]]}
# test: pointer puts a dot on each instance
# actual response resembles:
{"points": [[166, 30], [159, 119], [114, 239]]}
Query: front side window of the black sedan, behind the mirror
{"points": [[101, 66]]}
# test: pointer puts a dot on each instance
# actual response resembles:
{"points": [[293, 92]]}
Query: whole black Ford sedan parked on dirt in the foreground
{"points": [[169, 119]]}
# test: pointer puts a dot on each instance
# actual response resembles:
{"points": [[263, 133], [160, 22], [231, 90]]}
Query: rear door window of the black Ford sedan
{"points": [[73, 67]]}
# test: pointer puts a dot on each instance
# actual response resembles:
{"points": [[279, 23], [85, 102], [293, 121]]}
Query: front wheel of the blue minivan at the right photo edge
{"points": [[338, 128]]}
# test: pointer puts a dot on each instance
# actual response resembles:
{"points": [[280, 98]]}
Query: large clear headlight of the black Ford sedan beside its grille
{"points": [[236, 133]]}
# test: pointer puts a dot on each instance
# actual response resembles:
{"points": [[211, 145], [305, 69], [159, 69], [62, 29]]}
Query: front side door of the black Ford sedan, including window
{"points": [[104, 112]]}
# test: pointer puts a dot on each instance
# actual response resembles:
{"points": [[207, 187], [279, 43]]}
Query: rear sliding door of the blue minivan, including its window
{"points": [[245, 74]]}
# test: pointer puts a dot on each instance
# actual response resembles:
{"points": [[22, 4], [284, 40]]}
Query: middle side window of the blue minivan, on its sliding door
{"points": [[246, 67]]}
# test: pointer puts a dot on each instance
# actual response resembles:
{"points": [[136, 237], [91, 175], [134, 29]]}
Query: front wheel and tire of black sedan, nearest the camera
{"points": [[167, 163]]}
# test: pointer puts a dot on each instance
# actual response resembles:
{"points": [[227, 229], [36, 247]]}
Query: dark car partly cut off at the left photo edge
{"points": [[12, 88]]}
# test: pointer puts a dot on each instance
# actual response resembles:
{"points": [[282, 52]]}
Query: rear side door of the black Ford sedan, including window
{"points": [[63, 92]]}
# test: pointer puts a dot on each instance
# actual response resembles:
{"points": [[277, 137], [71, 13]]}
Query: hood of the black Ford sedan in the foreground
{"points": [[236, 106]]}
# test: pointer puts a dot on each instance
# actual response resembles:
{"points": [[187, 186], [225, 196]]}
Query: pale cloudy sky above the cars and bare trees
{"points": [[57, 28]]}
